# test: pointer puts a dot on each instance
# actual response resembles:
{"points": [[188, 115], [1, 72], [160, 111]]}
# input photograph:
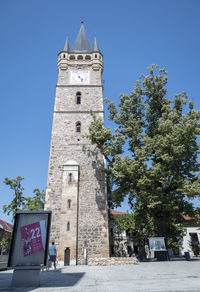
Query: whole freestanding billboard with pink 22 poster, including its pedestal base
{"points": [[29, 247]]}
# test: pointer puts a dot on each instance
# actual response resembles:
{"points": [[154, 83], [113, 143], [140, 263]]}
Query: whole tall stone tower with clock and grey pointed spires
{"points": [[76, 188]]}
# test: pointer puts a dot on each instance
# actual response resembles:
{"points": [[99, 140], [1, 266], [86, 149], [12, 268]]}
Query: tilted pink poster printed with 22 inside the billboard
{"points": [[32, 236]]}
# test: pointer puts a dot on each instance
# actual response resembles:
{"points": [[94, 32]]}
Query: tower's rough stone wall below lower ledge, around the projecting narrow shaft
{"points": [[92, 217]]}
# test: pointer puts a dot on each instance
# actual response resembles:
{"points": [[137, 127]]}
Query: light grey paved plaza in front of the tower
{"points": [[155, 276]]}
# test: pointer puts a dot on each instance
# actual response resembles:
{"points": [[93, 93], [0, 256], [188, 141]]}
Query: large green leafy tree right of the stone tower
{"points": [[159, 171]]}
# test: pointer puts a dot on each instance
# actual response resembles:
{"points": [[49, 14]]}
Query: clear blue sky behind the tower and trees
{"points": [[132, 34]]}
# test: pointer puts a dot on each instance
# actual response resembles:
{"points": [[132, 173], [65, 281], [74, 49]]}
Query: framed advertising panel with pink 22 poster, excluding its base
{"points": [[30, 239]]}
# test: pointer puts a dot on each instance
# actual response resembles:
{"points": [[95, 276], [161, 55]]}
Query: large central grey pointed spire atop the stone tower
{"points": [[81, 43]]}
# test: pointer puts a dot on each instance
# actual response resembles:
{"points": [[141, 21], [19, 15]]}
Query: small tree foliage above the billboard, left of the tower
{"points": [[21, 203]]}
